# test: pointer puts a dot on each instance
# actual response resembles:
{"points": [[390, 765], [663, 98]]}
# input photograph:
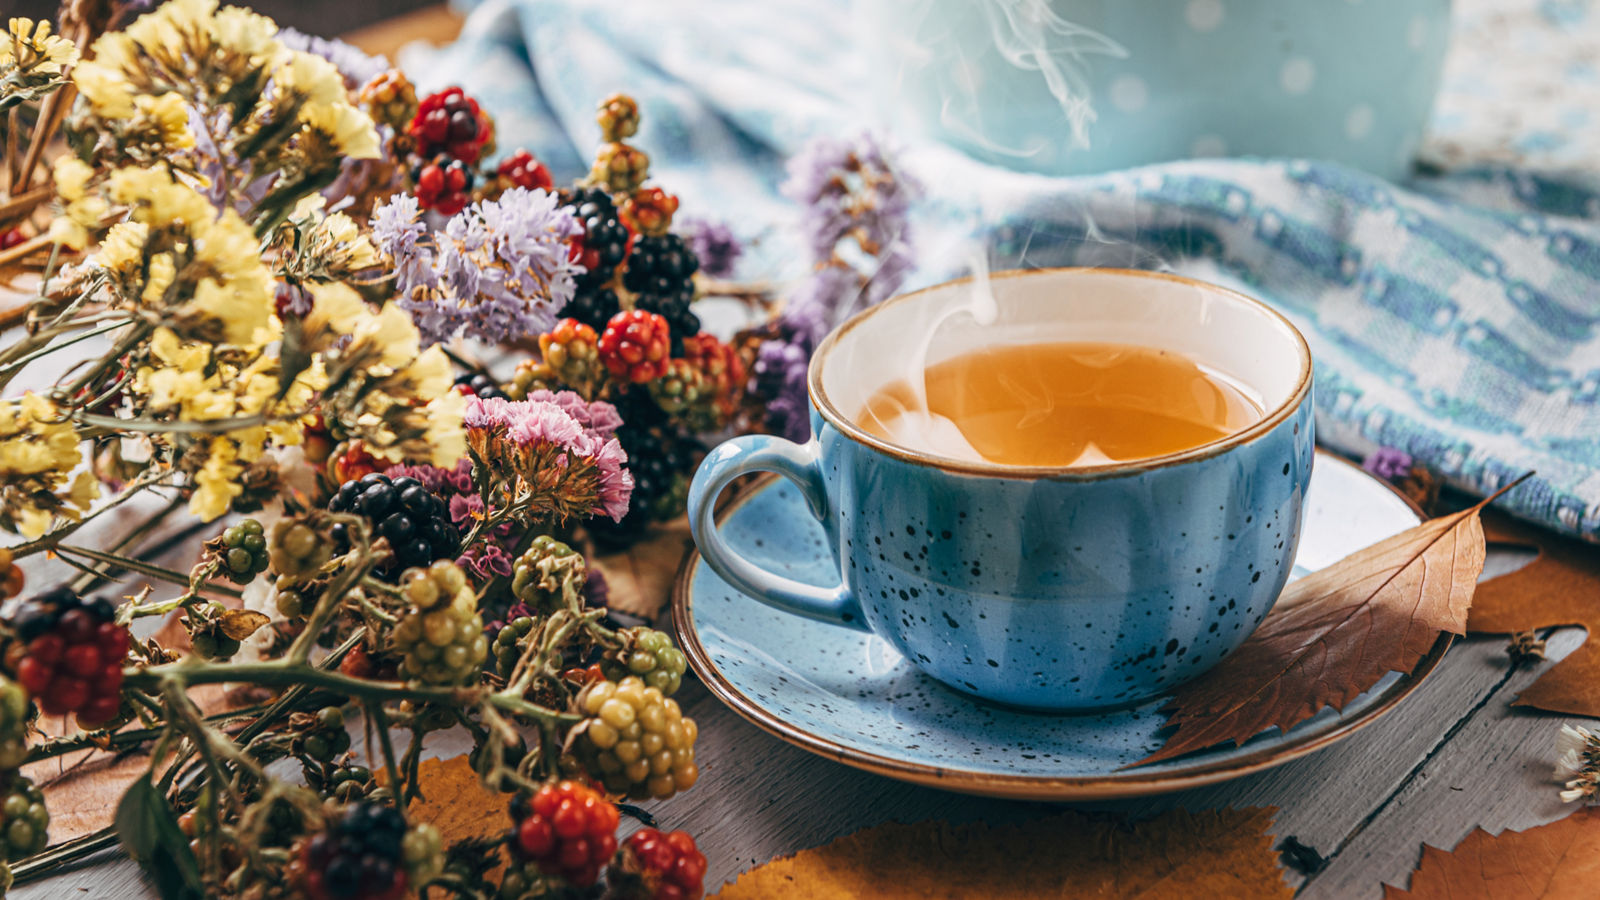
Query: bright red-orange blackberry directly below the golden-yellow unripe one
{"points": [[567, 830]]}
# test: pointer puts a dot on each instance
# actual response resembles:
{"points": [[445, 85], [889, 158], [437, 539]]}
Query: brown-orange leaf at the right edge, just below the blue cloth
{"points": [[1562, 587]]}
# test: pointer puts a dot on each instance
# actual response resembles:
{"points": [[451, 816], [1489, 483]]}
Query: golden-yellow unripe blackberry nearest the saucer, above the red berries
{"points": [[636, 741]]}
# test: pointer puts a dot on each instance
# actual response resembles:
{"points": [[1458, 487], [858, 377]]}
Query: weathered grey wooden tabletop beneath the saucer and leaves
{"points": [[1452, 758]]}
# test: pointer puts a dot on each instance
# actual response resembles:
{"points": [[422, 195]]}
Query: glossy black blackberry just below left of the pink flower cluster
{"points": [[415, 521]]}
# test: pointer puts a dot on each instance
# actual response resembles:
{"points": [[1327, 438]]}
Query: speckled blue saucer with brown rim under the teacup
{"points": [[850, 697]]}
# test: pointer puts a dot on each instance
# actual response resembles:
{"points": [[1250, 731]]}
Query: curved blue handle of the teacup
{"points": [[798, 464]]}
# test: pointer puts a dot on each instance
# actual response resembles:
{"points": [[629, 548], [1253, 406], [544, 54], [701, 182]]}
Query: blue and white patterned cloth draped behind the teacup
{"points": [[1457, 318]]}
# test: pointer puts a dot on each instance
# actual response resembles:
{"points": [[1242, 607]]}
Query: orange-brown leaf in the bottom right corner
{"points": [[1553, 862]]}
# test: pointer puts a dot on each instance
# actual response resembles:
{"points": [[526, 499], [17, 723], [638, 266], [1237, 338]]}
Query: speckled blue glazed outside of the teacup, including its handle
{"points": [[1052, 593]]}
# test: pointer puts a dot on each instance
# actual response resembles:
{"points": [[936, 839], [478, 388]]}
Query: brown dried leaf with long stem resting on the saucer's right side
{"points": [[1334, 635]]}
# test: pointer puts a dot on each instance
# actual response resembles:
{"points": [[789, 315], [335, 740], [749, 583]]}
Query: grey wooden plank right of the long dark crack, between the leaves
{"points": [[1495, 773]]}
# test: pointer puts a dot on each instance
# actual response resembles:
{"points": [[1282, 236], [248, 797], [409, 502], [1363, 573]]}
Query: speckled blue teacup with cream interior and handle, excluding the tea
{"points": [[1044, 589]]}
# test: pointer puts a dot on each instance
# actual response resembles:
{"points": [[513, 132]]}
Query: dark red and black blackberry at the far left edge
{"points": [[71, 656]]}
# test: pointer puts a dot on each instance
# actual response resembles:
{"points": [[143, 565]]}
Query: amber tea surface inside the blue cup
{"points": [[1060, 404]]}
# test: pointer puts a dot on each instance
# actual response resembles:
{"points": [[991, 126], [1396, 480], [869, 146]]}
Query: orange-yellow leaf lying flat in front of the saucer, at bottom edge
{"points": [[1177, 854]]}
